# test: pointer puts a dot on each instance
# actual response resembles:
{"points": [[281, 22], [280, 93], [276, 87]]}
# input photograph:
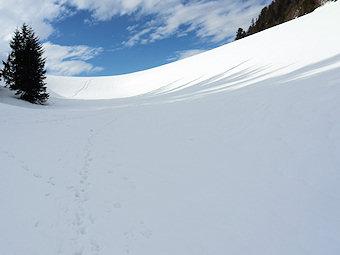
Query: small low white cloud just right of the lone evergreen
{"points": [[70, 60]]}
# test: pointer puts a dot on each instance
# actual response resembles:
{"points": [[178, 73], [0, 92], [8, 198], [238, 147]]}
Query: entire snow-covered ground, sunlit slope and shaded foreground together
{"points": [[233, 151]]}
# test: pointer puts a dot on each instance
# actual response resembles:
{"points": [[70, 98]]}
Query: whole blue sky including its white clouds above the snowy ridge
{"points": [[109, 37]]}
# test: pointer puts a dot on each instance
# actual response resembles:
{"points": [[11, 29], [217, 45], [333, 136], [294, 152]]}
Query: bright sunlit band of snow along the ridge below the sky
{"points": [[280, 50]]}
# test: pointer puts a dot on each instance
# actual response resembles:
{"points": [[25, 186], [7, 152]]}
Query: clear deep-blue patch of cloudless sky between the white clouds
{"points": [[116, 58]]}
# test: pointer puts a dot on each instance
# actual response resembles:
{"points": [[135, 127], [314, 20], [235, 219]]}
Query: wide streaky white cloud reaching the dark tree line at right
{"points": [[214, 19]]}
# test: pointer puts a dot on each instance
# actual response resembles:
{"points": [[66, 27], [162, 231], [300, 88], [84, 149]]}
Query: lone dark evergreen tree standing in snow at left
{"points": [[24, 70]]}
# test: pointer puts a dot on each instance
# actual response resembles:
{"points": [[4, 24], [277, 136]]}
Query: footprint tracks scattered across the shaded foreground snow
{"points": [[79, 218]]}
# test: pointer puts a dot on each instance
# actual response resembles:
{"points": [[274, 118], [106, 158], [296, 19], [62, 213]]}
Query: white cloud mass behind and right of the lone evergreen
{"points": [[39, 14]]}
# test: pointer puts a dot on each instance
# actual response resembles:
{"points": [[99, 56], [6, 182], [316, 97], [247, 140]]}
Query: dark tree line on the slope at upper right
{"points": [[277, 12]]}
